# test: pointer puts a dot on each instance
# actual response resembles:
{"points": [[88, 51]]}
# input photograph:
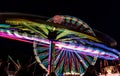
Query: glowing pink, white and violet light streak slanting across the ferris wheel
{"points": [[59, 45]]}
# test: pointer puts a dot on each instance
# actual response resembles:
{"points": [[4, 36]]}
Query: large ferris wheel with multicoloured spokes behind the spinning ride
{"points": [[65, 60]]}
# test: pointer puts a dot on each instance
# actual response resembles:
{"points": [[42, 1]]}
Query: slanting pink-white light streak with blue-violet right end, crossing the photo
{"points": [[70, 47]]}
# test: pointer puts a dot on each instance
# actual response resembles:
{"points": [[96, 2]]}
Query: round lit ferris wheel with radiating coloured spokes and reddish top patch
{"points": [[62, 50]]}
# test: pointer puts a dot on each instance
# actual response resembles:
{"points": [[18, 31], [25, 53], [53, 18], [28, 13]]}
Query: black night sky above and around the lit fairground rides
{"points": [[103, 15]]}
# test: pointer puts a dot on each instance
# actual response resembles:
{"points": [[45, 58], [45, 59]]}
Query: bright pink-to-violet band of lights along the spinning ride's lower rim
{"points": [[80, 48]]}
